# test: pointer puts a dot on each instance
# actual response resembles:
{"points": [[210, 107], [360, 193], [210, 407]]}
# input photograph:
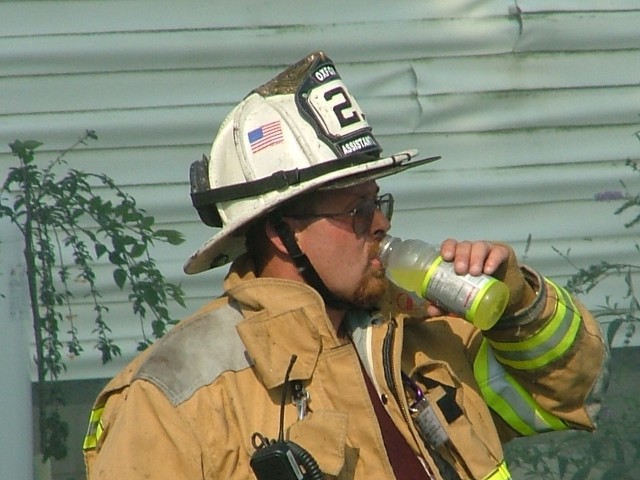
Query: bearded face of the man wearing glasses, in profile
{"points": [[345, 260]]}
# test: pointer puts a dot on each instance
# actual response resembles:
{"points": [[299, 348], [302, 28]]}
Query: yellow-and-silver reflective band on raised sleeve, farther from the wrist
{"points": [[509, 399]]}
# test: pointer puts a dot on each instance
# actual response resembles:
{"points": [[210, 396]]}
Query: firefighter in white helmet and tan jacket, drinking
{"points": [[312, 364]]}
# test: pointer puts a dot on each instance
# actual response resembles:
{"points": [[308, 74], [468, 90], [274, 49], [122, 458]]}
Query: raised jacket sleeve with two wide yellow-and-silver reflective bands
{"points": [[545, 368]]}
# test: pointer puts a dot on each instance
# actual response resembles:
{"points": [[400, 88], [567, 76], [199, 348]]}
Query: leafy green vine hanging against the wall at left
{"points": [[67, 228]]}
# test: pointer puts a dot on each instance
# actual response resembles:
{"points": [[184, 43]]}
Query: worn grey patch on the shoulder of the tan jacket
{"points": [[195, 353]]}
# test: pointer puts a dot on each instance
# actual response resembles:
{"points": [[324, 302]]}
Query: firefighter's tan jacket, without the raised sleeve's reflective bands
{"points": [[188, 407]]}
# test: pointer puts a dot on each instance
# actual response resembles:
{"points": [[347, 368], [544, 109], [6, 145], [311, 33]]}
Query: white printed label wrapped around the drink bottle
{"points": [[459, 294]]}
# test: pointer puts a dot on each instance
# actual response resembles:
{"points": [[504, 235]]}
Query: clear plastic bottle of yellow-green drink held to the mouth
{"points": [[418, 267]]}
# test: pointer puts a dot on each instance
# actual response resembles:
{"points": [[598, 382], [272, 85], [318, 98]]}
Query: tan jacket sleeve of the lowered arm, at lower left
{"points": [[131, 429]]}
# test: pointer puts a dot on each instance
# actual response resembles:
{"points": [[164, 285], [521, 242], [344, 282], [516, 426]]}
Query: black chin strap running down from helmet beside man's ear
{"points": [[303, 263]]}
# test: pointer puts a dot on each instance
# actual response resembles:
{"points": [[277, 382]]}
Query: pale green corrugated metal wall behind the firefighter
{"points": [[534, 106]]}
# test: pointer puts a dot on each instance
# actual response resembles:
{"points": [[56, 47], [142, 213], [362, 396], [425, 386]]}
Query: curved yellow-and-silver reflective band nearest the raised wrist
{"points": [[548, 344]]}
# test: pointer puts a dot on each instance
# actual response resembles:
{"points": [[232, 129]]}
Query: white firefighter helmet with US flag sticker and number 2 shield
{"points": [[298, 132]]}
